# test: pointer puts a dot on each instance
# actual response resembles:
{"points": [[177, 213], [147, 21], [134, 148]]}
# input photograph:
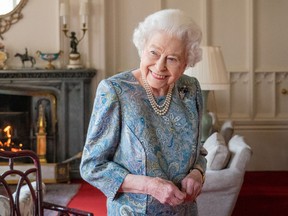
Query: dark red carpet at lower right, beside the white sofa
{"points": [[263, 193]]}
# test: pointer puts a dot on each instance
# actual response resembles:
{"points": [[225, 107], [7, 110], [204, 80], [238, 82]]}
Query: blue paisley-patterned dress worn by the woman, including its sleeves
{"points": [[125, 136]]}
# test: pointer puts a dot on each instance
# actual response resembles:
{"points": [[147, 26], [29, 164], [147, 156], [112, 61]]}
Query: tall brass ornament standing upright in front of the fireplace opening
{"points": [[41, 134]]}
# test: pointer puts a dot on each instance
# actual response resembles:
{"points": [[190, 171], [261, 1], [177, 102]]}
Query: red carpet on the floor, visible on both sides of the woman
{"points": [[262, 193]]}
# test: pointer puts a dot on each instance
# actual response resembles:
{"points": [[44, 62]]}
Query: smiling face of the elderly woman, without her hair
{"points": [[163, 60]]}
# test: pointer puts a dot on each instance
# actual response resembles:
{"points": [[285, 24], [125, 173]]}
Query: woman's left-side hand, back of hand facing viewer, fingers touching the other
{"points": [[165, 191]]}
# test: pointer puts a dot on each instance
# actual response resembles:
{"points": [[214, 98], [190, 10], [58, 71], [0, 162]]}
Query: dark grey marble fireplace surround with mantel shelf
{"points": [[69, 91]]}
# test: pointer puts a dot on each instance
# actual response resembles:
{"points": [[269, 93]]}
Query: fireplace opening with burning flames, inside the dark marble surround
{"points": [[19, 117]]}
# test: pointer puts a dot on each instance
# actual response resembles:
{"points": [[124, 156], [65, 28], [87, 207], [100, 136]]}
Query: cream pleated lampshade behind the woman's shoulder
{"points": [[211, 70]]}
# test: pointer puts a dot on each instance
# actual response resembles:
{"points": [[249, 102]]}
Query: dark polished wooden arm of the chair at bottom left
{"points": [[65, 210]]}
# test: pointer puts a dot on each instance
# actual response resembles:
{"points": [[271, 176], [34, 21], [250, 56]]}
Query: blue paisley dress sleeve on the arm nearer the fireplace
{"points": [[97, 166]]}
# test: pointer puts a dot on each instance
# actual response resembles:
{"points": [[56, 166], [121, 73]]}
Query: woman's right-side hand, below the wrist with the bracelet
{"points": [[192, 184]]}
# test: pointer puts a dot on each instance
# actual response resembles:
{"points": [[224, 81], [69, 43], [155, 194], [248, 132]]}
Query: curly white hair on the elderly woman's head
{"points": [[176, 23]]}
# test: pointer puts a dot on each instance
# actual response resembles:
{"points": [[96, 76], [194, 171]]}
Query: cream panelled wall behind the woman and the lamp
{"points": [[253, 35]]}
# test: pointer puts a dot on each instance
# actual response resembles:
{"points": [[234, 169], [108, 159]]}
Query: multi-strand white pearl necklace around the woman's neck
{"points": [[159, 109]]}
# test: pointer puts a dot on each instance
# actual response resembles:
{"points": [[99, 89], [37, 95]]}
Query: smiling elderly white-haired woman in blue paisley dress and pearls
{"points": [[143, 148]]}
